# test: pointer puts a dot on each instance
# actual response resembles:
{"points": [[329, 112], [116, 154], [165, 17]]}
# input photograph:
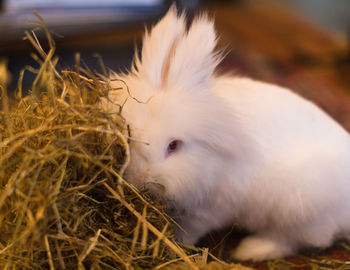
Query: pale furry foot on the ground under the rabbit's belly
{"points": [[258, 248]]}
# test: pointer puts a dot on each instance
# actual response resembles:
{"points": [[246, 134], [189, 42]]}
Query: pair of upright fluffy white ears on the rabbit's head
{"points": [[172, 55]]}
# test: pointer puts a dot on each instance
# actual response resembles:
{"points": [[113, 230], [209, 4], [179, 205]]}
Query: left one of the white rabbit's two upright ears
{"points": [[158, 45]]}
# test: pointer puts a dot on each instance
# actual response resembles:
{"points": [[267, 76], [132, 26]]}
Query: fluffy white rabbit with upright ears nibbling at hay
{"points": [[224, 150]]}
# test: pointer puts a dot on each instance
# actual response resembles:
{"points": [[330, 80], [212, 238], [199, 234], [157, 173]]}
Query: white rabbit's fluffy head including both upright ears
{"points": [[177, 124]]}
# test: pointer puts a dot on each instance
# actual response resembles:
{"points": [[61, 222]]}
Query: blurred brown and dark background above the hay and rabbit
{"points": [[302, 44]]}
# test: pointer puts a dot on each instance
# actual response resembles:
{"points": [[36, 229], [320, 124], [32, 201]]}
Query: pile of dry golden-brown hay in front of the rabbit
{"points": [[63, 201]]}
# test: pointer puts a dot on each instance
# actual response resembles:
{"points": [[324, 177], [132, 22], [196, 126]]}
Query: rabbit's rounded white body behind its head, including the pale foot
{"points": [[290, 183]]}
